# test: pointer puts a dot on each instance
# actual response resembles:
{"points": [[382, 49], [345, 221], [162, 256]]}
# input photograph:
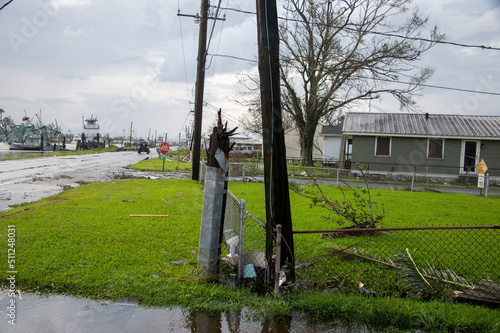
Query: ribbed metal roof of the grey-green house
{"points": [[429, 125]]}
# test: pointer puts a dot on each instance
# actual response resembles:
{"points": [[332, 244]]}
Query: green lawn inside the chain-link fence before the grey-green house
{"points": [[472, 254]]}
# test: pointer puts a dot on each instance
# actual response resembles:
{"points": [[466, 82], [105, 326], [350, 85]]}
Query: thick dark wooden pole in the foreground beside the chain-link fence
{"points": [[275, 172]]}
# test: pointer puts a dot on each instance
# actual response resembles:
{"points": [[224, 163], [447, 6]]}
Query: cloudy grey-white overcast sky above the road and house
{"points": [[135, 61]]}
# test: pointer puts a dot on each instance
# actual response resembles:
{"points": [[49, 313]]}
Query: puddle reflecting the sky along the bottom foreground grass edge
{"points": [[65, 314]]}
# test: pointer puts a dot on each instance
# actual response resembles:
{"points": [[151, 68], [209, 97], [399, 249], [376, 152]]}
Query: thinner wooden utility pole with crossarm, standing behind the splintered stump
{"points": [[200, 84]]}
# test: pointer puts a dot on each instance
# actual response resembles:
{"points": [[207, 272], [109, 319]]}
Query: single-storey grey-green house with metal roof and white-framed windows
{"points": [[423, 143]]}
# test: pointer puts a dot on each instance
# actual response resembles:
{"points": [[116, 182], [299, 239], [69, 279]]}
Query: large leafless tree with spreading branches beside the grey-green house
{"points": [[335, 53]]}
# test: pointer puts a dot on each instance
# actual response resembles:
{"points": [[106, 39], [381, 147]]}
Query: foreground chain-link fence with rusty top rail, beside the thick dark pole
{"points": [[424, 262]]}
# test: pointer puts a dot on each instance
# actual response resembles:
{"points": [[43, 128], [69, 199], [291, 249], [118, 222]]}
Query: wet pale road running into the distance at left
{"points": [[28, 180]]}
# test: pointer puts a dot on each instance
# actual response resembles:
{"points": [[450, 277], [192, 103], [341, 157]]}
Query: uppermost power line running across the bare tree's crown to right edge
{"points": [[387, 34]]}
